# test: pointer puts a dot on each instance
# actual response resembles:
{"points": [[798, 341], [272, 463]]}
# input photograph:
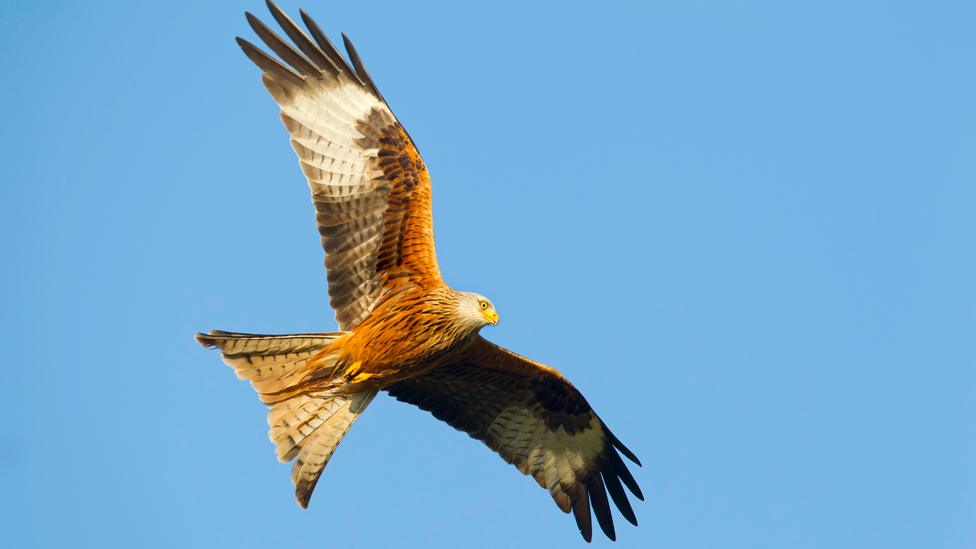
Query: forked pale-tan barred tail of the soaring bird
{"points": [[307, 421]]}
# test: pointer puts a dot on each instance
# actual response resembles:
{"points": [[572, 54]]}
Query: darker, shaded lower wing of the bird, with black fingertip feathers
{"points": [[536, 420]]}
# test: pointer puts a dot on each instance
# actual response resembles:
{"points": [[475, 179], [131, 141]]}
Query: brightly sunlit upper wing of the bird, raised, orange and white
{"points": [[370, 187]]}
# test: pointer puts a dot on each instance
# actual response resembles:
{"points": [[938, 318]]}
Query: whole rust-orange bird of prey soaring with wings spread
{"points": [[403, 330]]}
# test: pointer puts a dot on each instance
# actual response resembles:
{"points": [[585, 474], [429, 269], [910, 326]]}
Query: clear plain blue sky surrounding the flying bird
{"points": [[744, 230]]}
